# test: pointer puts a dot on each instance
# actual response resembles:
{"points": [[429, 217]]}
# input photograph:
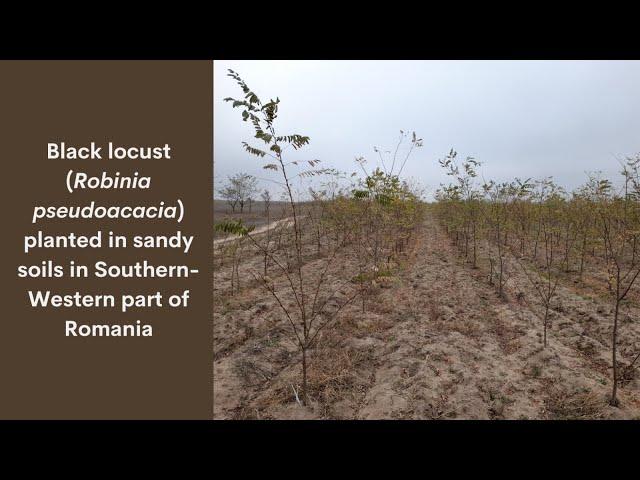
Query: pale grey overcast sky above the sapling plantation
{"points": [[520, 118]]}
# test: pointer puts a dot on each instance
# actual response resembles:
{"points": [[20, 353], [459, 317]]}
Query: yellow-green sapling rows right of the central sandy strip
{"points": [[550, 234]]}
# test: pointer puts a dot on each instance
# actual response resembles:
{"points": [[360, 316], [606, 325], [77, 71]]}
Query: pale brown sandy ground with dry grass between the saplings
{"points": [[435, 342]]}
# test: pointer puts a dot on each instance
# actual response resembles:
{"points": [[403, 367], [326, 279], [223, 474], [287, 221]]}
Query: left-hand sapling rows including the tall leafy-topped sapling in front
{"points": [[371, 221]]}
